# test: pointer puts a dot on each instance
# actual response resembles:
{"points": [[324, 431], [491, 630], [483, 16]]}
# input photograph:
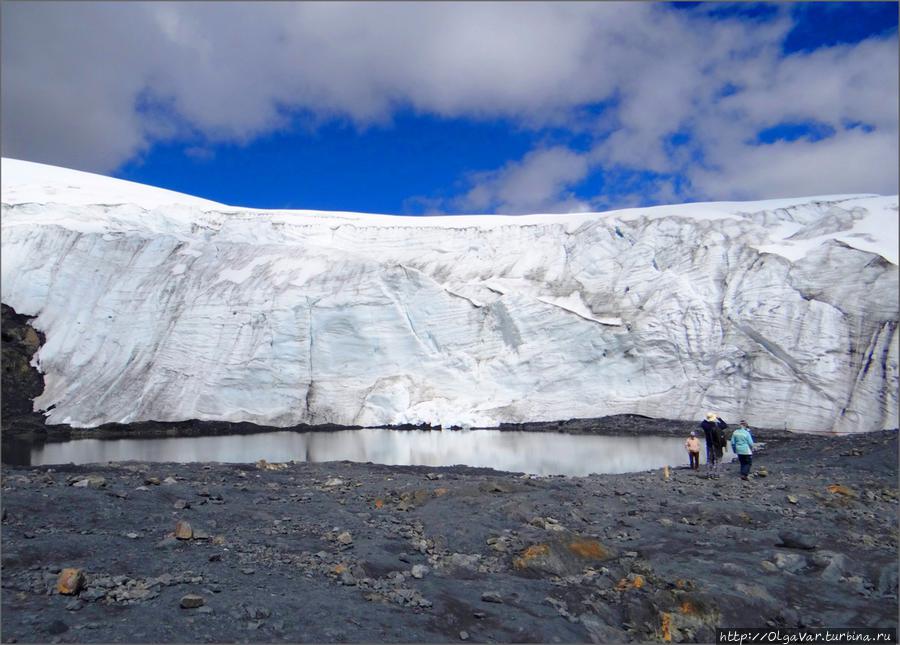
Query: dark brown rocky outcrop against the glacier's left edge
{"points": [[21, 382]]}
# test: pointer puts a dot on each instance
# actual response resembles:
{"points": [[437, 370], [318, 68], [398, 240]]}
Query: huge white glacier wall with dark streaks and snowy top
{"points": [[162, 306]]}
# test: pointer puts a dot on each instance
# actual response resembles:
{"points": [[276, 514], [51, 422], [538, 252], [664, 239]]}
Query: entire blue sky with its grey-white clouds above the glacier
{"points": [[423, 108]]}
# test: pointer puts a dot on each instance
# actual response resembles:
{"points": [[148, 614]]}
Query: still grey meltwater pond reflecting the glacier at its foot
{"points": [[531, 452]]}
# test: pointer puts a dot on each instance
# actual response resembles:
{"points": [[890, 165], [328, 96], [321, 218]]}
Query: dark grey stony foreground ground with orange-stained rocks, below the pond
{"points": [[343, 552]]}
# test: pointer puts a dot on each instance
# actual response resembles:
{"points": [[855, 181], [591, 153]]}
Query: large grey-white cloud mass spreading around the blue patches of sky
{"points": [[75, 74]]}
